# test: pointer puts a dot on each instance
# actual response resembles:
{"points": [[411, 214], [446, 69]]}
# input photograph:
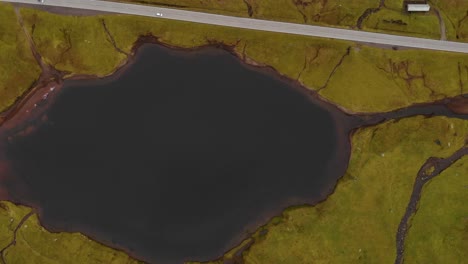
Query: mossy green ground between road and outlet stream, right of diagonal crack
{"points": [[383, 80]]}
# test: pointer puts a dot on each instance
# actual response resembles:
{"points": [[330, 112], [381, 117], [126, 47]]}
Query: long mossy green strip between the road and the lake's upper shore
{"points": [[383, 79]]}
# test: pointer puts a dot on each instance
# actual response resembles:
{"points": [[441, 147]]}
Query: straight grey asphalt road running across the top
{"points": [[256, 24]]}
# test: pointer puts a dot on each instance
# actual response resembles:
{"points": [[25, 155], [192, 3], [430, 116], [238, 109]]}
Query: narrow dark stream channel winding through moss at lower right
{"points": [[431, 168]]}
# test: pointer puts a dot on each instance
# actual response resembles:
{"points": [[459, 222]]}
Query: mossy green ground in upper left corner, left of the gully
{"points": [[18, 68]]}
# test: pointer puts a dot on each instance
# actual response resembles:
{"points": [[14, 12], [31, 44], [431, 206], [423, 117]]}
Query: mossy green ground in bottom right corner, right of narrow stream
{"points": [[439, 231]]}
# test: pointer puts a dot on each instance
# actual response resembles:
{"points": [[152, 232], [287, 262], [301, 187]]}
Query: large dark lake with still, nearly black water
{"points": [[176, 157]]}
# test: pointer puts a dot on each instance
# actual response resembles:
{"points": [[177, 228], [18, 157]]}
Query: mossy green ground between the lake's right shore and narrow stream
{"points": [[358, 222]]}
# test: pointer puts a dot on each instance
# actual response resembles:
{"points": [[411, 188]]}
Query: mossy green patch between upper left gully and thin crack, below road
{"points": [[73, 44]]}
